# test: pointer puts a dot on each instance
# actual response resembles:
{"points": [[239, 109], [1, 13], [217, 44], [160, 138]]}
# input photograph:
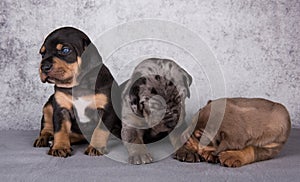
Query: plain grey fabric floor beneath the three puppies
{"points": [[19, 161]]}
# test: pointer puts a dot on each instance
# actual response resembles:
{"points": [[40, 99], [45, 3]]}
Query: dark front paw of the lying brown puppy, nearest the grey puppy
{"points": [[185, 155]]}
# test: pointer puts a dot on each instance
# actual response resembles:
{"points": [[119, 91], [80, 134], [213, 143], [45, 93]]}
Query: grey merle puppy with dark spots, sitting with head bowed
{"points": [[153, 105]]}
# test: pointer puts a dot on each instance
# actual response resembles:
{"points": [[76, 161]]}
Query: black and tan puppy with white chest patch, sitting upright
{"points": [[82, 94]]}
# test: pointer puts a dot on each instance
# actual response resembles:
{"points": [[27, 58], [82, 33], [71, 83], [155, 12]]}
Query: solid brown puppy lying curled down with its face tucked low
{"points": [[251, 130]]}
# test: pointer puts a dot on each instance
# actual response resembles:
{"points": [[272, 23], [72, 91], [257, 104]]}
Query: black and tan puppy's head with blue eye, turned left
{"points": [[61, 56]]}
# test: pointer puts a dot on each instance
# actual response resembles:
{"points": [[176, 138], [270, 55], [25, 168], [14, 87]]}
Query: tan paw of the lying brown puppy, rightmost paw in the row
{"points": [[229, 159]]}
